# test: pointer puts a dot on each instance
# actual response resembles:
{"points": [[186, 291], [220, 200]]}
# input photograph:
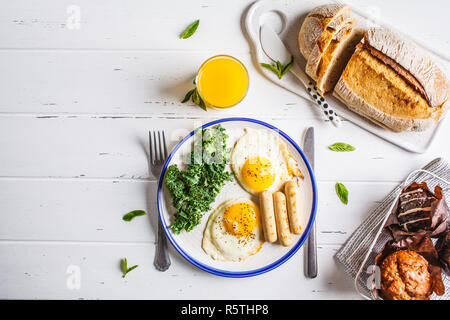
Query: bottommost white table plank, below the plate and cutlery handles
{"points": [[32, 276]]}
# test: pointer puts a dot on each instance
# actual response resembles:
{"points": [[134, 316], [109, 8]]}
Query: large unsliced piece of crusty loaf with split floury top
{"points": [[394, 83]]}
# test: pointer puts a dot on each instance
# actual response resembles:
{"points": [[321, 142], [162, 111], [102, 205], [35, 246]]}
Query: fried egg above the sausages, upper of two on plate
{"points": [[261, 161]]}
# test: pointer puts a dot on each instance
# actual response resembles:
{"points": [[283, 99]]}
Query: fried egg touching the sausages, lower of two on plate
{"points": [[233, 231]]}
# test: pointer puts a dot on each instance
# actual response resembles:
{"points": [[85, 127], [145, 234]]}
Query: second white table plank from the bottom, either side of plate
{"points": [[95, 213]]}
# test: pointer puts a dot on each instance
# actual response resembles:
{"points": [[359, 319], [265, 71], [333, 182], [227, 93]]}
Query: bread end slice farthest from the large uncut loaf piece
{"points": [[319, 27]]}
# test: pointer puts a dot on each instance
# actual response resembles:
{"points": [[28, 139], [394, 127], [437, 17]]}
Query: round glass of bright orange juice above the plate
{"points": [[222, 81]]}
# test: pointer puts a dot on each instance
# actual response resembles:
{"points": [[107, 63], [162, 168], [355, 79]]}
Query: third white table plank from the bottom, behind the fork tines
{"points": [[99, 146]]}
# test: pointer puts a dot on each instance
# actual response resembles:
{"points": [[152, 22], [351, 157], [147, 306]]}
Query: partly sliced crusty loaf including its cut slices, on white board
{"points": [[420, 90]]}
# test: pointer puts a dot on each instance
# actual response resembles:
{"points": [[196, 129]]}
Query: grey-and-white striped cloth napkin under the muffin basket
{"points": [[352, 254]]}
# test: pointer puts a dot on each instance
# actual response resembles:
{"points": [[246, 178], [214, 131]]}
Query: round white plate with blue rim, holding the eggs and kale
{"points": [[189, 244]]}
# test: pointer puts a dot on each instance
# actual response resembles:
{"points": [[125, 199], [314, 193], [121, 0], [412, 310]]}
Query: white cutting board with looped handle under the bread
{"points": [[286, 17]]}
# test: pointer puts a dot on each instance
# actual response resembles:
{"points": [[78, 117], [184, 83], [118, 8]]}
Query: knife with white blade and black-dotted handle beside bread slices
{"points": [[275, 49]]}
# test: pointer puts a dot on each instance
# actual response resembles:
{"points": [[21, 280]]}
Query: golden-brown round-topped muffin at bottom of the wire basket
{"points": [[405, 276]]}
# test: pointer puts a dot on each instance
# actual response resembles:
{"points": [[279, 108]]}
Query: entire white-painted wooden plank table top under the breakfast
{"points": [[76, 104]]}
